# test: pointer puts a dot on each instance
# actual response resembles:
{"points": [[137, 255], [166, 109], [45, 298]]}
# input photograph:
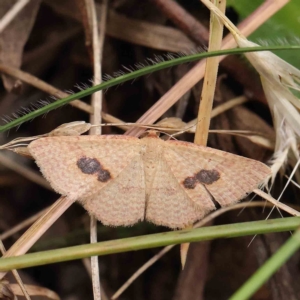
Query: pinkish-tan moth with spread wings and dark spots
{"points": [[122, 180]]}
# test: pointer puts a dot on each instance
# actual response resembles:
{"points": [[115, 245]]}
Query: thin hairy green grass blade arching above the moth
{"points": [[133, 75]]}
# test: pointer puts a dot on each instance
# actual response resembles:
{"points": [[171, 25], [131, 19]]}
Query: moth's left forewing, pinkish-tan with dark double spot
{"points": [[81, 166]]}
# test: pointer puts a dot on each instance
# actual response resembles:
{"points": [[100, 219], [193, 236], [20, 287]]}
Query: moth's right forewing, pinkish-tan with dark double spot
{"points": [[227, 177]]}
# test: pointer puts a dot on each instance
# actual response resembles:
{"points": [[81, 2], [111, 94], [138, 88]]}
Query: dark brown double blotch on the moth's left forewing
{"points": [[89, 165]]}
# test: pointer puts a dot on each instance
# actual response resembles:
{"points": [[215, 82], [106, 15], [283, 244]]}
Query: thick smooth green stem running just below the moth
{"points": [[149, 241]]}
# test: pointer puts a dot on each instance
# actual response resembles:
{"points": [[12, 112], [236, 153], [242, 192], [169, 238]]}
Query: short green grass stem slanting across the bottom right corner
{"points": [[268, 268]]}
